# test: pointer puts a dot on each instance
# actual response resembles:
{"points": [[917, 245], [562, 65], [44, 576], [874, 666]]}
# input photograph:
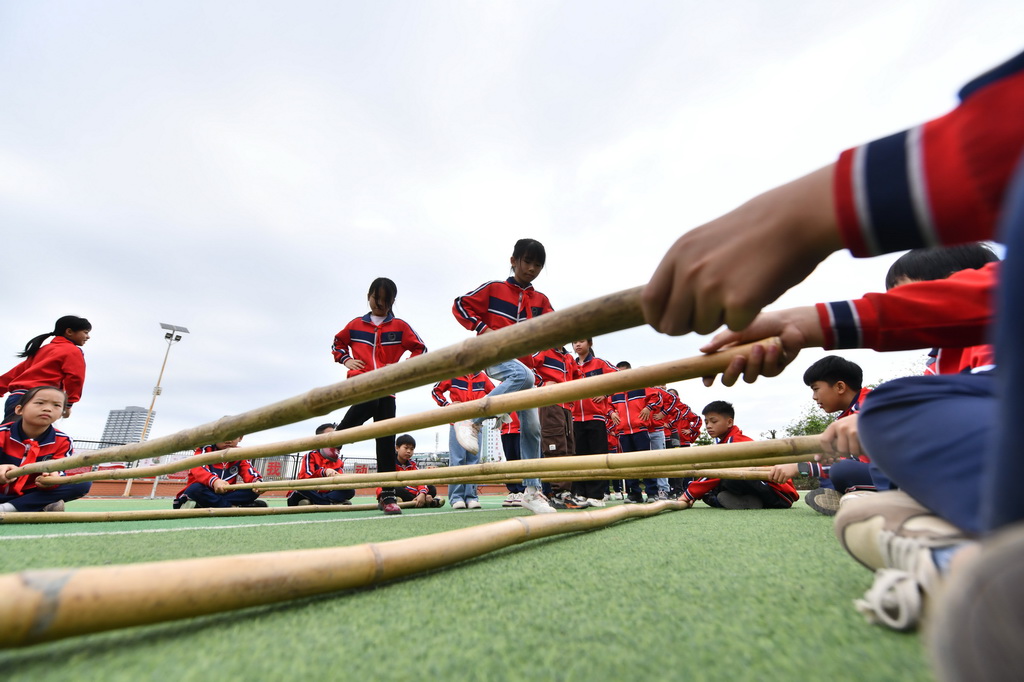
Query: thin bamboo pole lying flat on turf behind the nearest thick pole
{"points": [[164, 515]]}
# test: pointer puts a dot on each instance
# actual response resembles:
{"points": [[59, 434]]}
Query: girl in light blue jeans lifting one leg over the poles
{"points": [[492, 307]]}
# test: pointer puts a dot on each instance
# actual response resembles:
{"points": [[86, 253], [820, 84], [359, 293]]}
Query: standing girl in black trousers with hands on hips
{"points": [[375, 340]]}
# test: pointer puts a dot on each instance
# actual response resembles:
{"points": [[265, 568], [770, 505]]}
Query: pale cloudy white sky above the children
{"points": [[246, 169]]}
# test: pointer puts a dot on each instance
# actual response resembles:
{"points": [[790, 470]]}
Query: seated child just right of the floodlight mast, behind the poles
{"points": [[207, 485]]}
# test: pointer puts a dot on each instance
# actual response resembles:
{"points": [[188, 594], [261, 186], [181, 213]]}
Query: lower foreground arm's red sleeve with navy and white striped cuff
{"points": [[954, 313]]}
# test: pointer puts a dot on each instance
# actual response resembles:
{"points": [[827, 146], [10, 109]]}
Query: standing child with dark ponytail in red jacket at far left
{"points": [[59, 364]]}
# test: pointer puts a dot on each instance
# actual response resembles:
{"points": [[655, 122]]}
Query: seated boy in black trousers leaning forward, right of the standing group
{"points": [[727, 494]]}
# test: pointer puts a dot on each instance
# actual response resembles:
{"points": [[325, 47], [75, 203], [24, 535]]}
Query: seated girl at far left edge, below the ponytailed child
{"points": [[31, 438]]}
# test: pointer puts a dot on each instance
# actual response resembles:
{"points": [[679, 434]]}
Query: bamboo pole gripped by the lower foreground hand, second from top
{"points": [[643, 377]]}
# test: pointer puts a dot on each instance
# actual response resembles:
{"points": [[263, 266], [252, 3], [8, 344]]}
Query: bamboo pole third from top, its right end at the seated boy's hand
{"points": [[702, 456]]}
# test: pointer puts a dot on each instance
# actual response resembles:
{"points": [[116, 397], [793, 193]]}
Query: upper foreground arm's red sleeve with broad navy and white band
{"points": [[942, 183]]}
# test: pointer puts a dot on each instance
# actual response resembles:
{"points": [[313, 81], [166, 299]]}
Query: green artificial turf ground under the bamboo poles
{"points": [[697, 594]]}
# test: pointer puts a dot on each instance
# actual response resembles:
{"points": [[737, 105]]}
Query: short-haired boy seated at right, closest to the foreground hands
{"points": [[837, 386]]}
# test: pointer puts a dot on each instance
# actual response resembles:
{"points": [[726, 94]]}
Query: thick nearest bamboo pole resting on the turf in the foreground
{"points": [[45, 606]]}
